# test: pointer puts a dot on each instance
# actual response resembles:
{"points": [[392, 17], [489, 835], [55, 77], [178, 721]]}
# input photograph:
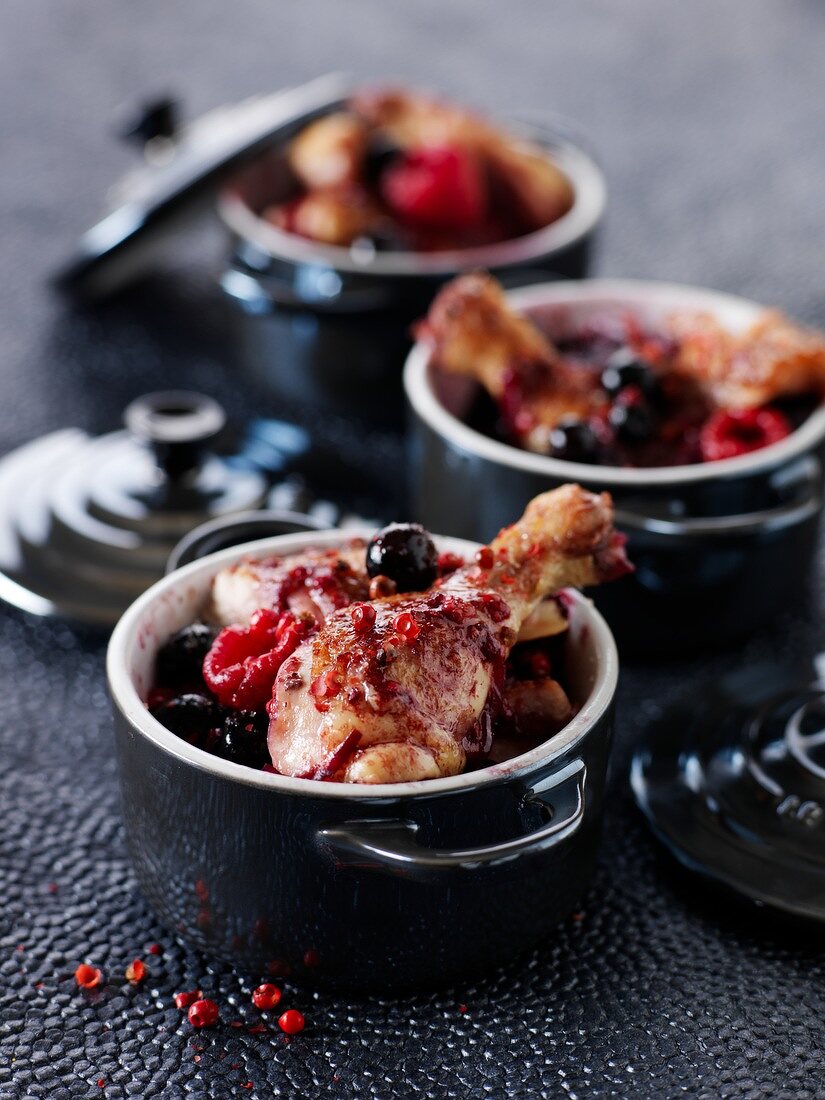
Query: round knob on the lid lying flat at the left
{"points": [[178, 425]]}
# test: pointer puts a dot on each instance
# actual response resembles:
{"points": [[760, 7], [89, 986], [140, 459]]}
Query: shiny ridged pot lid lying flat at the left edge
{"points": [[87, 524]]}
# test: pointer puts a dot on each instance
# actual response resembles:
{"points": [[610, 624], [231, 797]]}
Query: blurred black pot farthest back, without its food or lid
{"points": [[329, 327]]}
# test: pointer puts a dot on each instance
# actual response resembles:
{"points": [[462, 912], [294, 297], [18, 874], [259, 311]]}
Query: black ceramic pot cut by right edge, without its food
{"points": [[720, 548]]}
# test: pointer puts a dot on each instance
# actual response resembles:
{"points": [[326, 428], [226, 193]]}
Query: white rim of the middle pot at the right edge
{"points": [[730, 309]]}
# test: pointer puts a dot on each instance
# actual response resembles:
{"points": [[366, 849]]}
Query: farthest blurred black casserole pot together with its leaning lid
{"points": [[326, 328]]}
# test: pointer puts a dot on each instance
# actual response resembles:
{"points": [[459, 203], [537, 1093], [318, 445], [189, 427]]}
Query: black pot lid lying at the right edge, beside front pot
{"points": [[732, 780]]}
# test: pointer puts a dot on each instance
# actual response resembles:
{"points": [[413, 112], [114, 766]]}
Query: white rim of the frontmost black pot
{"points": [[126, 697]]}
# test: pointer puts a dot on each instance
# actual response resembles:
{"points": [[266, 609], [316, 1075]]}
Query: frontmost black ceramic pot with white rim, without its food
{"points": [[357, 887]]}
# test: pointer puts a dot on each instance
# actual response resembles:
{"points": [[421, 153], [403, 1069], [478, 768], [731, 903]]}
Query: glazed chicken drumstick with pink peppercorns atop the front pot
{"points": [[405, 688]]}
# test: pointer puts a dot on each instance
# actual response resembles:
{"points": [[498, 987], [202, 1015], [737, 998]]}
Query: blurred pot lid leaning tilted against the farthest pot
{"points": [[183, 172]]}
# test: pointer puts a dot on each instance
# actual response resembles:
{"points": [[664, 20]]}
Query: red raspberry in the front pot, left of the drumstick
{"points": [[243, 664]]}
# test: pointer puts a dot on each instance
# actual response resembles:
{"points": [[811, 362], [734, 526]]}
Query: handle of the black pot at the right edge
{"points": [[806, 503]]}
